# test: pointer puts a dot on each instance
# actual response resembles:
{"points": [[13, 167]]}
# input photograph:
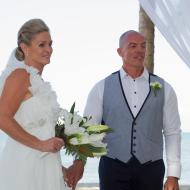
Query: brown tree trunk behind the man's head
{"points": [[146, 27]]}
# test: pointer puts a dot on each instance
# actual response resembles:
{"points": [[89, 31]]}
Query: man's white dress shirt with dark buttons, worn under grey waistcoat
{"points": [[136, 90]]}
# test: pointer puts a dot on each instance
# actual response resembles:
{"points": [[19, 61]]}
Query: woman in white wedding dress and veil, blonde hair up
{"points": [[28, 114]]}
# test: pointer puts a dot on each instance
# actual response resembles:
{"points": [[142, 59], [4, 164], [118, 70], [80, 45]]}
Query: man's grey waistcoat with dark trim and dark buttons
{"points": [[139, 136]]}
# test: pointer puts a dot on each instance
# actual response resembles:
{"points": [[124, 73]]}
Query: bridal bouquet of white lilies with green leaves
{"points": [[82, 140]]}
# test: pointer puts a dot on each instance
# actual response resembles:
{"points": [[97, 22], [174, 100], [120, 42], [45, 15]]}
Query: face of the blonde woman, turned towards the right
{"points": [[39, 51]]}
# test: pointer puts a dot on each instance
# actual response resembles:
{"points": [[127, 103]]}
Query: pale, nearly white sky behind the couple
{"points": [[85, 37]]}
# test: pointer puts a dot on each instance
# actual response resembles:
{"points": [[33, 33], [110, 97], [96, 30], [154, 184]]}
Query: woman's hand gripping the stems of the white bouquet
{"points": [[51, 145]]}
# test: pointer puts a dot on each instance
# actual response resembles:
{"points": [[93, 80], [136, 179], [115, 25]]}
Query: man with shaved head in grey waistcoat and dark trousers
{"points": [[140, 112]]}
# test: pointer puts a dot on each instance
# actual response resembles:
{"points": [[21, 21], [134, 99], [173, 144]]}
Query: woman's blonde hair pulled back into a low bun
{"points": [[27, 32]]}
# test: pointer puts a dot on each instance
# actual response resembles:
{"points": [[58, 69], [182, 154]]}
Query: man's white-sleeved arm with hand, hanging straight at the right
{"points": [[172, 134]]}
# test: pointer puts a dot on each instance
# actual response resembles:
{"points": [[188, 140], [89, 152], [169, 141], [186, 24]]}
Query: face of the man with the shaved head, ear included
{"points": [[133, 51]]}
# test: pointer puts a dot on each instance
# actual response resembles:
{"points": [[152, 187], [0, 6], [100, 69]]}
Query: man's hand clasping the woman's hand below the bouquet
{"points": [[75, 173]]}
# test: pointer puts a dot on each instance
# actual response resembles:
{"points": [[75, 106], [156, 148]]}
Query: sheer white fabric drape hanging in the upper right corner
{"points": [[171, 17]]}
